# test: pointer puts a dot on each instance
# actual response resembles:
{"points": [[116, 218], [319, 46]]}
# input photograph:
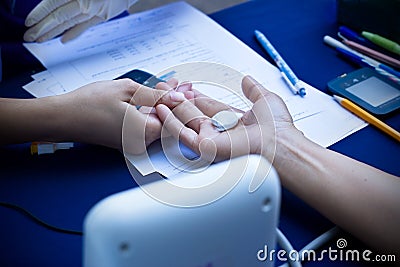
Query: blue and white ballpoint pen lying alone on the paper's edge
{"points": [[293, 82]]}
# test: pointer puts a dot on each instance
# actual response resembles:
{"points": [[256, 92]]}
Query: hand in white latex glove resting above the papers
{"points": [[53, 17]]}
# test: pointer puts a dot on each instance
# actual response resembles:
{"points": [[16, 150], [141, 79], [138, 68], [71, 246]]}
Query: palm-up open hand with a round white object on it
{"points": [[257, 132]]}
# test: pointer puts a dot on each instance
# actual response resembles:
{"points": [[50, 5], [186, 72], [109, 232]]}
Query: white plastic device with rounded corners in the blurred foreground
{"points": [[133, 229]]}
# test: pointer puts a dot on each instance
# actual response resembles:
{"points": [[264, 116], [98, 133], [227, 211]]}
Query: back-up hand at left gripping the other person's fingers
{"points": [[106, 113]]}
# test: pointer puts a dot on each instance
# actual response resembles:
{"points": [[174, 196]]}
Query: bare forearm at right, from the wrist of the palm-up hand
{"points": [[359, 198]]}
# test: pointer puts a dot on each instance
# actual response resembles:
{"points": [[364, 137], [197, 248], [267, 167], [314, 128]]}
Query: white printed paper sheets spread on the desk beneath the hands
{"points": [[177, 33]]}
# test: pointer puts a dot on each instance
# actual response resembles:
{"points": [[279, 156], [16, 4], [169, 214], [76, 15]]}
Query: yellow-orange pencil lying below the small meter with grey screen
{"points": [[347, 104]]}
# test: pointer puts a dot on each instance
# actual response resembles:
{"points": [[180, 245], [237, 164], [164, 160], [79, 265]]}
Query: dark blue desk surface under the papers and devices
{"points": [[62, 187]]}
